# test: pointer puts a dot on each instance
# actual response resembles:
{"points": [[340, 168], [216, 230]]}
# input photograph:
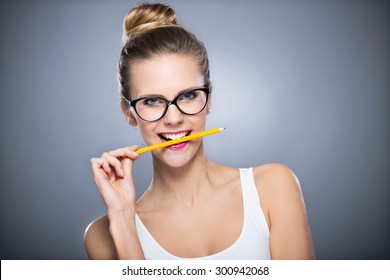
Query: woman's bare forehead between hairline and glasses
{"points": [[164, 74]]}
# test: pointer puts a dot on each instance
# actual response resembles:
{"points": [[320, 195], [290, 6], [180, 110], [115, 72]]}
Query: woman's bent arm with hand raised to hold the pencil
{"points": [[115, 235]]}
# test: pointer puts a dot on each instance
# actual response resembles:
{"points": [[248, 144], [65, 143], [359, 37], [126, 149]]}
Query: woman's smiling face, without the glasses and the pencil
{"points": [[165, 76]]}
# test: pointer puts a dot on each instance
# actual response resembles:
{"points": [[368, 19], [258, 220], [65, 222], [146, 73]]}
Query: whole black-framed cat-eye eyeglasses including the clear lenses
{"points": [[153, 108]]}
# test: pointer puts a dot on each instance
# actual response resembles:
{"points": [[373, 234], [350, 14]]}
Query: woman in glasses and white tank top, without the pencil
{"points": [[193, 208]]}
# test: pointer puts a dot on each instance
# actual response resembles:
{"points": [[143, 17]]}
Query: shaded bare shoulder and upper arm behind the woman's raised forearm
{"points": [[97, 240]]}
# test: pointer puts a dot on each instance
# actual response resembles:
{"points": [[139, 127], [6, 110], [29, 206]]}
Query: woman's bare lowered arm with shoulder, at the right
{"points": [[284, 207]]}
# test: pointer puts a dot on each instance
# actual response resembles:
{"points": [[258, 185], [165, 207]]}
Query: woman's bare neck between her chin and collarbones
{"points": [[181, 185]]}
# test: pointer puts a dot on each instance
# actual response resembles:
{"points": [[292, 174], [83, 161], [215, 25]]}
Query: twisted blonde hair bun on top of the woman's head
{"points": [[147, 17]]}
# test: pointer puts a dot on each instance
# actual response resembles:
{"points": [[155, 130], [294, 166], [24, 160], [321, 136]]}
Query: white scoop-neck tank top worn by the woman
{"points": [[252, 244]]}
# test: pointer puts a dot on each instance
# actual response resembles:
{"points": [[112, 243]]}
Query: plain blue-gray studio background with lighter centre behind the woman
{"points": [[304, 83]]}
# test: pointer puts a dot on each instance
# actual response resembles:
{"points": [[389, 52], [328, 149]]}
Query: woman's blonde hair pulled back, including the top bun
{"points": [[151, 29]]}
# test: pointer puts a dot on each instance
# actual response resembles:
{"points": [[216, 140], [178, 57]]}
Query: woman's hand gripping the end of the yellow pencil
{"points": [[113, 178]]}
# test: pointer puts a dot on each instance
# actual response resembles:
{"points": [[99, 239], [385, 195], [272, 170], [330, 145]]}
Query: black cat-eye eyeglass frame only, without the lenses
{"points": [[133, 102]]}
